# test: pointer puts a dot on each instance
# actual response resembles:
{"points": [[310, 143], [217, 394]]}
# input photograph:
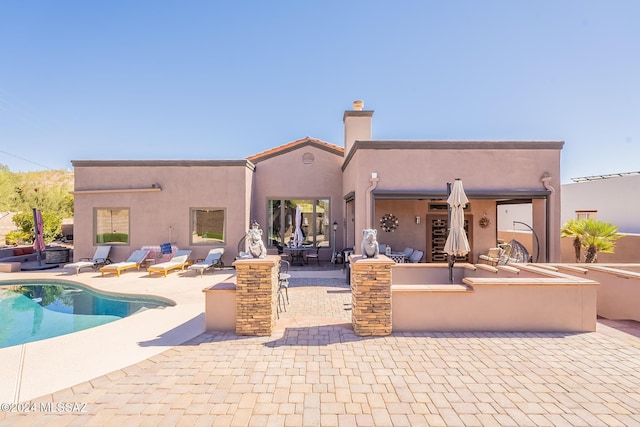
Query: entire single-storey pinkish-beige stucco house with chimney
{"points": [[200, 204]]}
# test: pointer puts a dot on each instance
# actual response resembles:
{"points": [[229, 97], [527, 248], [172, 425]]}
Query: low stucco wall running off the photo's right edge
{"points": [[619, 291]]}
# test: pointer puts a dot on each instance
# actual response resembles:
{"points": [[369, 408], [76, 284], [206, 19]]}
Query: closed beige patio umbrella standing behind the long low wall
{"points": [[457, 243]]}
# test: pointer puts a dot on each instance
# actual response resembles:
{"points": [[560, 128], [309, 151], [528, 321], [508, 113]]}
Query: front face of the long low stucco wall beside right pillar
{"points": [[497, 307]]}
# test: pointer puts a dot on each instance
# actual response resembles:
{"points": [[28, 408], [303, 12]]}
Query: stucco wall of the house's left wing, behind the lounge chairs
{"points": [[161, 216]]}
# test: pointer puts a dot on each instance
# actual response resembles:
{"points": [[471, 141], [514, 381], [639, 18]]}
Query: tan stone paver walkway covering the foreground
{"points": [[315, 372]]}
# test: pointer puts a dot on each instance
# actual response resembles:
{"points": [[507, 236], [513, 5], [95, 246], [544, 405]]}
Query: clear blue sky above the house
{"points": [[226, 79]]}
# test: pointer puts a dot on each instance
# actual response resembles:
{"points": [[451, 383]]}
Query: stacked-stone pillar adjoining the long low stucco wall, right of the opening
{"points": [[371, 295]]}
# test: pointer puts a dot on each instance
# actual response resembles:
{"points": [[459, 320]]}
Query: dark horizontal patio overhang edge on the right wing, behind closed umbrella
{"points": [[440, 194]]}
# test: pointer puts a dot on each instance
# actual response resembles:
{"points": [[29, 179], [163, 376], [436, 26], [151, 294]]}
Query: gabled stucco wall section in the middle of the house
{"points": [[286, 176]]}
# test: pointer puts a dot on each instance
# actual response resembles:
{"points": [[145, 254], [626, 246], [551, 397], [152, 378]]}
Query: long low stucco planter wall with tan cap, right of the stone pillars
{"points": [[523, 298]]}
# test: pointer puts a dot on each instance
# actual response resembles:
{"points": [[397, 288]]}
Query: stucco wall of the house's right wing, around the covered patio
{"points": [[487, 166]]}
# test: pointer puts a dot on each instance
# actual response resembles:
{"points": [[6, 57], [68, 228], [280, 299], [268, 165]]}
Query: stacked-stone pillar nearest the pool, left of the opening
{"points": [[256, 295]]}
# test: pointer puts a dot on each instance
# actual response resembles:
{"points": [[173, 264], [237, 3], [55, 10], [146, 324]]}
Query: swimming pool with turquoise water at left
{"points": [[35, 310]]}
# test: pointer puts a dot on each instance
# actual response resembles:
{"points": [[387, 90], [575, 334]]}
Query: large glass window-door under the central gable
{"points": [[314, 222]]}
